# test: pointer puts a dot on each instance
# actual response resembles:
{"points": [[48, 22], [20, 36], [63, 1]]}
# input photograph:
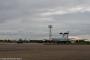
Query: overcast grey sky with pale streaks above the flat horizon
{"points": [[31, 18]]}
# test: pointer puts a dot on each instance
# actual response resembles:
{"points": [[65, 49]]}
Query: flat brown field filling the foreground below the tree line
{"points": [[45, 52]]}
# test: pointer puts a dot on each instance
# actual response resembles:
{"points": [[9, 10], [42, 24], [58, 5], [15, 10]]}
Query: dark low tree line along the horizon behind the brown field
{"points": [[81, 42]]}
